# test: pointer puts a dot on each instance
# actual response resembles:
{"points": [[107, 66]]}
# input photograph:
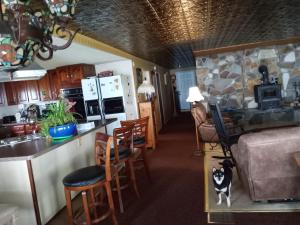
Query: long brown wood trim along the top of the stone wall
{"points": [[234, 48]]}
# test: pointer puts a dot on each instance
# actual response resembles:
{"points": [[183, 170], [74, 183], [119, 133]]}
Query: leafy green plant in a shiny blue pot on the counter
{"points": [[60, 123]]}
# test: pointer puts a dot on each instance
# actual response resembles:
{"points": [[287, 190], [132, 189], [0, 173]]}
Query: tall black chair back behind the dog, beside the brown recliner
{"points": [[219, 124]]}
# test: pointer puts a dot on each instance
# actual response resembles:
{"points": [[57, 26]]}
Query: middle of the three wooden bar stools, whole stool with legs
{"points": [[121, 154]]}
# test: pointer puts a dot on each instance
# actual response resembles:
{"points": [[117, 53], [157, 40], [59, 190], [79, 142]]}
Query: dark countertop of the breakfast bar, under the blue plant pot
{"points": [[35, 148]]}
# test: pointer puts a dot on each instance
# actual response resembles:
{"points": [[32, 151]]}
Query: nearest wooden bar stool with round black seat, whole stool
{"points": [[86, 180]]}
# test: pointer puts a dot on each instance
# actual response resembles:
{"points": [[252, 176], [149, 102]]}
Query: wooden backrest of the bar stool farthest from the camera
{"points": [[140, 128]]}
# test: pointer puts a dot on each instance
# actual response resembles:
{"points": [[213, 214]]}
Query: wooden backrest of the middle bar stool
{"points": [[122, 139]]}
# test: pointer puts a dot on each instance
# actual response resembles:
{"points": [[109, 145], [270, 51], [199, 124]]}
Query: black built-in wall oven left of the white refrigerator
{"points": [[75, 95]]}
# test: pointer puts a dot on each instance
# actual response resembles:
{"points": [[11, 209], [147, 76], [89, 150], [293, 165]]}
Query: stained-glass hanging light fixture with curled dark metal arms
{"points": [[26, 33]]}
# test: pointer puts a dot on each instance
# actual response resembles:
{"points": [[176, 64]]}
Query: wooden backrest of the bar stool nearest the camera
{"points": [[103, 143]]}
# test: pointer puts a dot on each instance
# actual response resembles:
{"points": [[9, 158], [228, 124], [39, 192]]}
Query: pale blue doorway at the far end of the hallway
{"points": [[184, 80]]}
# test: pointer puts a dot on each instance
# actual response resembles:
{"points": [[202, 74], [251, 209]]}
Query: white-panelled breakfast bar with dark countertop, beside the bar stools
{"points": [[31, 173]]}
